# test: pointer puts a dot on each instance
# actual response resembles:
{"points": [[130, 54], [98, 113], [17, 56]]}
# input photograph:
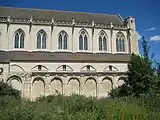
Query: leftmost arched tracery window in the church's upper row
{"points": [[19, 39]]}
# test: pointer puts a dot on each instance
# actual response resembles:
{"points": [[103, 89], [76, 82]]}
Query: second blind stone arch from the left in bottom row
{"points": [[38, 87]]}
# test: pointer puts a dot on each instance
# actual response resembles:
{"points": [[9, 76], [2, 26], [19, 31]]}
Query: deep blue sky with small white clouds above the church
{"points": [[146, 13]]}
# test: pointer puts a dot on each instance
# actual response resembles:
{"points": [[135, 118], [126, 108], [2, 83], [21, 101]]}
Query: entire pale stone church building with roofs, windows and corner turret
{"points": [[48, 52]]}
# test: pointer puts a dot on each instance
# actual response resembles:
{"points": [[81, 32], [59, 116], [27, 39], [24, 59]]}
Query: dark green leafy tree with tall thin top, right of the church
{"points": [[140, 75]]}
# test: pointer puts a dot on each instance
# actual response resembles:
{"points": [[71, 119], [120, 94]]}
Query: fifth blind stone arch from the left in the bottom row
{"points": [[90, 87]]}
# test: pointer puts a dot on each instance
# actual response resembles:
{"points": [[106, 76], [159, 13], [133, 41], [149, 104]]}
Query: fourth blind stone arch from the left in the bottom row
{"points": [[73, 86]]}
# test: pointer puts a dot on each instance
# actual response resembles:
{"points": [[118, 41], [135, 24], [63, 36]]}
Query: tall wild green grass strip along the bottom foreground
{"points": [[80, 108]]}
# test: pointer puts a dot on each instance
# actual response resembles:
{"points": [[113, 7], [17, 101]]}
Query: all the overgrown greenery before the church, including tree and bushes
{"points": [[137, 99]]}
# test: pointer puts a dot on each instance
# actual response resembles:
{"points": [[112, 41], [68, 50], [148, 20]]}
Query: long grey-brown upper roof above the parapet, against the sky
{"points": [[41, 14]]}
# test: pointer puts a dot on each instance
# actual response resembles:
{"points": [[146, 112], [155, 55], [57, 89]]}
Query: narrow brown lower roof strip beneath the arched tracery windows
{"points": [[7, 56]]}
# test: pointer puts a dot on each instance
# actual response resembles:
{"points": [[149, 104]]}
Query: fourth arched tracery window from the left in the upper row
{"points": [[83, 40]]}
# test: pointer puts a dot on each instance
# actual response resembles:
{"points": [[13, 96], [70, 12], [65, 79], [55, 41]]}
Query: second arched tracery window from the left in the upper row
{"points": [[41, 39]]}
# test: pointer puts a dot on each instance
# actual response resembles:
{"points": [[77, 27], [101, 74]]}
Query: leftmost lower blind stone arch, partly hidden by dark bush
{"points": [[16, 82]]}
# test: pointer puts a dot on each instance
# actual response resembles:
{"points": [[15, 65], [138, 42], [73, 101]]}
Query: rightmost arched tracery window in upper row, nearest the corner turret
{"points": [[120, 42]]}
